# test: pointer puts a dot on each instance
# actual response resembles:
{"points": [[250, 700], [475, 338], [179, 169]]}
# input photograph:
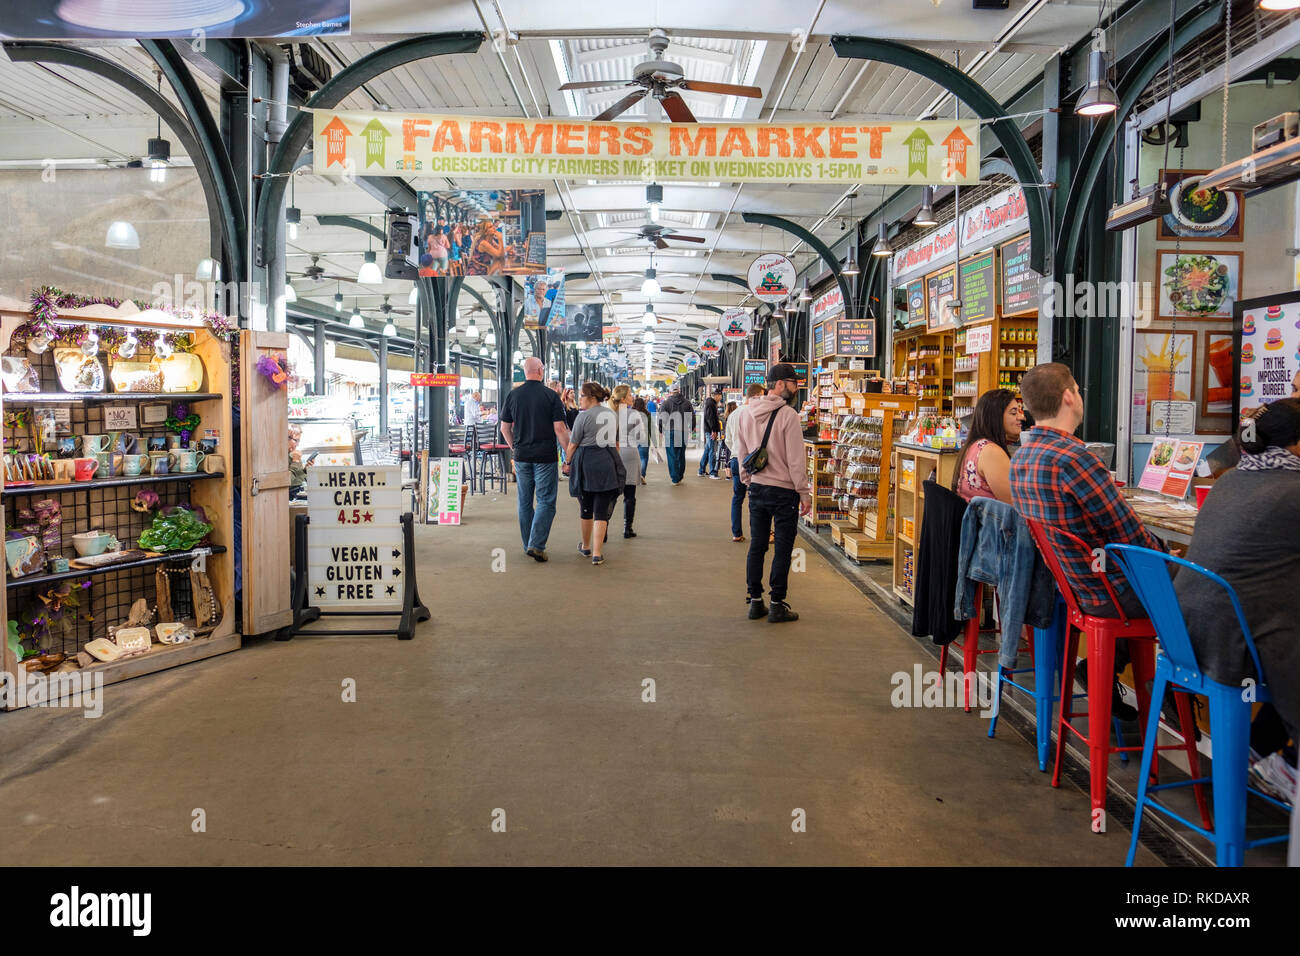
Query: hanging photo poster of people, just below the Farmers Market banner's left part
{"points": [[497, 232]]}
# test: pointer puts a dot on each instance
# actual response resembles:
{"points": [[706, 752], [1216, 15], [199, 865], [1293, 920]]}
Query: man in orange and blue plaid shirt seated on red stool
{"points": [[1059, 483]]}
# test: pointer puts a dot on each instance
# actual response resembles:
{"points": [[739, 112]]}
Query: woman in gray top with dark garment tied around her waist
{"points": [[595, 469]]}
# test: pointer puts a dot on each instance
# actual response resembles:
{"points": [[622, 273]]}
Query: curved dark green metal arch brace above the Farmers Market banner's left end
{"points": [[348, 81]]}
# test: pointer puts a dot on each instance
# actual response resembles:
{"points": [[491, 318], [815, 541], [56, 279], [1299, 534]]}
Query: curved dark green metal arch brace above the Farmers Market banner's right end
{"points": [[986, 107]]}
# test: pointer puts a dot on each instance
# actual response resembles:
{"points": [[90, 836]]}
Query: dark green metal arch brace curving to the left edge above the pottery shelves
{"points": [[224, 217]]}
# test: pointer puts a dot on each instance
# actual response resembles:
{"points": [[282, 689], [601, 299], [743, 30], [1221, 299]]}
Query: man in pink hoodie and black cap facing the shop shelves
{"points": [[779, 494]]}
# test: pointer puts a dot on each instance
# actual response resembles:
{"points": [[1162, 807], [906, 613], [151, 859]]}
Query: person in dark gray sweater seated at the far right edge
{"points": [[1249, 533]]}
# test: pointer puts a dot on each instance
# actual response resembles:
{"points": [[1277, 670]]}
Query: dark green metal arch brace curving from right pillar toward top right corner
{"points": [[1132, 88]]}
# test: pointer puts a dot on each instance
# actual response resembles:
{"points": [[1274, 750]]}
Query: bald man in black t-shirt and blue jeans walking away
{"points": [[532, 419]]}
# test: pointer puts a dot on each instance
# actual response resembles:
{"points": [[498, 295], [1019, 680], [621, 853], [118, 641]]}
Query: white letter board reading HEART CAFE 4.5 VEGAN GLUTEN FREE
{"points": [[357, 555]]}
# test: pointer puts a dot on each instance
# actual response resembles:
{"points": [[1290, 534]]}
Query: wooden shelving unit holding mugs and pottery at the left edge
{"points": [[103, 504]]}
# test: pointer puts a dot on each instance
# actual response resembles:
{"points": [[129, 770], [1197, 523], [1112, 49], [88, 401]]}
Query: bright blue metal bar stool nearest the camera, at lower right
{"points": [[1230, 715]]}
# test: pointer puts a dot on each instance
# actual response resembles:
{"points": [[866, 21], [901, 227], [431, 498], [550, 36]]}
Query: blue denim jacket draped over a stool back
{"points": [[998, 550]]}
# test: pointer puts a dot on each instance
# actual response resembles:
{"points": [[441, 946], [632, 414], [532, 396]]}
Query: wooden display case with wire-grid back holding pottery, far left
{"points": [[105, 503]]}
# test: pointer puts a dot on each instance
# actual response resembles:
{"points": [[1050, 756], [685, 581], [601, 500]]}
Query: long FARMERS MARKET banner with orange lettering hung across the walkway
{"points": [[359, 144]]}
